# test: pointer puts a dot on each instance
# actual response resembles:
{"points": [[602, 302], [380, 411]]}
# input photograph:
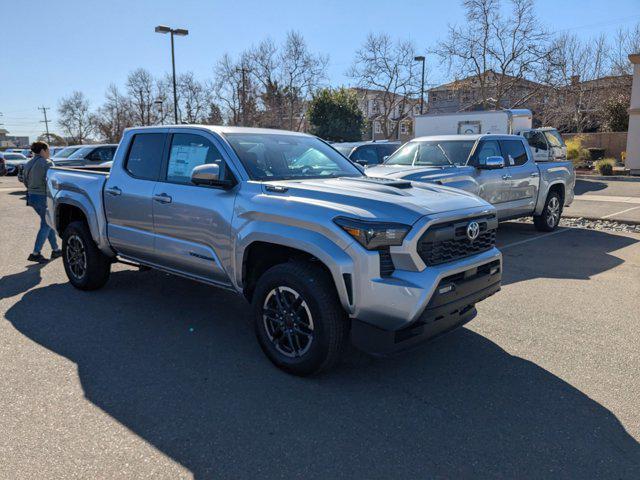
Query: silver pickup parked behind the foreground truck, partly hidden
{"points": [[498, 168]]}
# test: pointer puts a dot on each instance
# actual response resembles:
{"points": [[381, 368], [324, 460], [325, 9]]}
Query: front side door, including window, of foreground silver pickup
{"points": [[193, 223]]}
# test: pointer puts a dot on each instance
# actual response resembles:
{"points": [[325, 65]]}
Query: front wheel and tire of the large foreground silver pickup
{"points": [[309, 291]]}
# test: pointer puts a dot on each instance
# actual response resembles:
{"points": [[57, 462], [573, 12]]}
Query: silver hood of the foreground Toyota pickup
{"points": [[380, 199]]}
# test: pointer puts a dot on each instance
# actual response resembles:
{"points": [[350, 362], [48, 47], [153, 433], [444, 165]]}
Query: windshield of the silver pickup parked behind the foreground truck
{"points": [[432, 153]]}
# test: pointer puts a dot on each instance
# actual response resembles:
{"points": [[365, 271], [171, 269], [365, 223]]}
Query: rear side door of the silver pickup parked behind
{"points": [[525, 179]]}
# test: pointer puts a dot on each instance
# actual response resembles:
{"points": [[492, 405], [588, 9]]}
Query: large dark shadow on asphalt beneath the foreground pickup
{"points": [[182, 370]]}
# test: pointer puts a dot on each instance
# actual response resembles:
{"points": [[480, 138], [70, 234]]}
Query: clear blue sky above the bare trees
{"points": [[86, 45]]}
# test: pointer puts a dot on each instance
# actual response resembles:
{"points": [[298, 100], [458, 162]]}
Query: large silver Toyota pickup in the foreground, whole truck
{"points": [[322, 252]]}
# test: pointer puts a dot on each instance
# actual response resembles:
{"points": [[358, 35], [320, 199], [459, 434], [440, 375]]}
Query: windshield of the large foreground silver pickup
{"points": [[284, 157]]}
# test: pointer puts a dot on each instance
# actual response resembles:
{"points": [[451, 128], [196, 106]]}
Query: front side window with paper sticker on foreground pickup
{"points": [[187, 152]]}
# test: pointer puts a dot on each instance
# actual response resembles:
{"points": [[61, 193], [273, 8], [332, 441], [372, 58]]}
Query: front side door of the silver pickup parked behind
{"points": [[493, 185]]}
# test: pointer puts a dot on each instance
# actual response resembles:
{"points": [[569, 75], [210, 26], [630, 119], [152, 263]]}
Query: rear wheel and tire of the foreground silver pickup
{"points": [[86, 266]]}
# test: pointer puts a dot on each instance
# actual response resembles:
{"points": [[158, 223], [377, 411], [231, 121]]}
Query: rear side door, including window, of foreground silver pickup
{"points": [[128, 197]]}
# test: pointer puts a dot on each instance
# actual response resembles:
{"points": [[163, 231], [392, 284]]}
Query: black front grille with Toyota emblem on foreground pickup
{"points": [[448, 242]]}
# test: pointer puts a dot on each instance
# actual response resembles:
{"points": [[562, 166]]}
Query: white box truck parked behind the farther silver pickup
{"points": [[546, 143]]}
